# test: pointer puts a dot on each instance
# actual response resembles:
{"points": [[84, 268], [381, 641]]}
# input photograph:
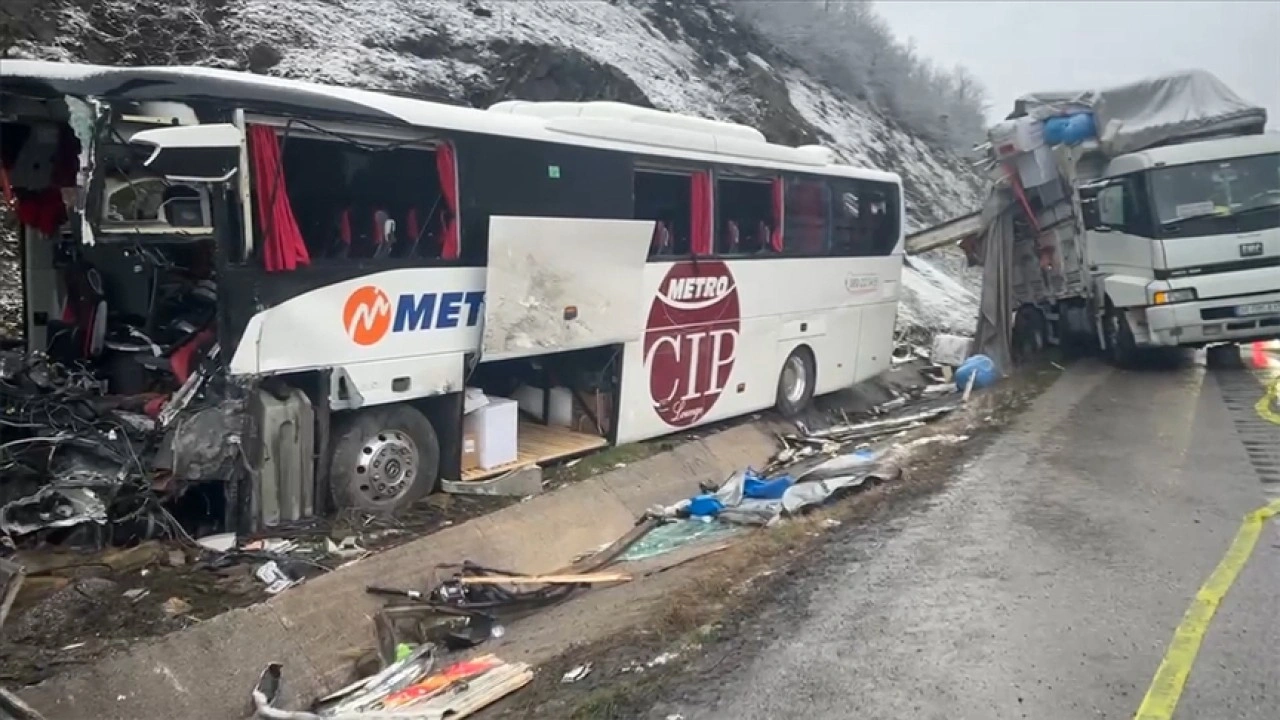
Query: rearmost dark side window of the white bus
{"points": [[867, 218]]}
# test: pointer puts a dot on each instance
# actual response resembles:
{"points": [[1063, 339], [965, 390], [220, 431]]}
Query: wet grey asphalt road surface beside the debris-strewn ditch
{"points": [[1046, 582]]}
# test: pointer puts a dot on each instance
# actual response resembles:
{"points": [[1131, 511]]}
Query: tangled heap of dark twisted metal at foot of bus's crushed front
{"points": [[99, 467]]}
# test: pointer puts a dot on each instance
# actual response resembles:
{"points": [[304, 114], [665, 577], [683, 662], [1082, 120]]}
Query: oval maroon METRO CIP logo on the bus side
{"points": [[692, 340]]}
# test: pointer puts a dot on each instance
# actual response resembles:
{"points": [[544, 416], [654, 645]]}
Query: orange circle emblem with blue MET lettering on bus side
{"points": [[369, 315]]}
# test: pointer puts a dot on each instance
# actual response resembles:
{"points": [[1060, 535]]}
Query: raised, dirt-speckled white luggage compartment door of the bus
{"points": [[557, 284]]}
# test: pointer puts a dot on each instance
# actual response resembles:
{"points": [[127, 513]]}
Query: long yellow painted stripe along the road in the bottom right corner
{"points": [[1167, 689]]}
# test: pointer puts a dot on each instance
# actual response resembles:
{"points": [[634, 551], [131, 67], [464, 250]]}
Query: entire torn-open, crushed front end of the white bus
{"points": [[118, 421]]}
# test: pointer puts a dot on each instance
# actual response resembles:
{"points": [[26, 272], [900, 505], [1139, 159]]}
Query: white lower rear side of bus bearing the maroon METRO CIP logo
{"points": [[685, 373]]}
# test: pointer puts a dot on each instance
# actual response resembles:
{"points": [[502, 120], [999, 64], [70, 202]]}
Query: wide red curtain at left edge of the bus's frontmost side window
{"points": [[284, 248]]}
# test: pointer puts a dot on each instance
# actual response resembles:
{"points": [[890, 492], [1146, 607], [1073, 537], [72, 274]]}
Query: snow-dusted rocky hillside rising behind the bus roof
{"points": [[691, 57]]}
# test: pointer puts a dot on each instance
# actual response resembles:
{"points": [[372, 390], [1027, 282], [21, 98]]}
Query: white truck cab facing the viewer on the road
{"points": [[1183, 244]]}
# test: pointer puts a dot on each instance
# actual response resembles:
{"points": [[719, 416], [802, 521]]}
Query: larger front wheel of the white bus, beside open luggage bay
{"points": [[385, 459]]}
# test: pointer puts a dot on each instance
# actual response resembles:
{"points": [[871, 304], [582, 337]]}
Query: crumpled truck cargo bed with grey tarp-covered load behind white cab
{"points": [[1032, 240]]}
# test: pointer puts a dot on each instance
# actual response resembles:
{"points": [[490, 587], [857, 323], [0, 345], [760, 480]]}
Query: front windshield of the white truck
{"points": [[1219, 197]]}
